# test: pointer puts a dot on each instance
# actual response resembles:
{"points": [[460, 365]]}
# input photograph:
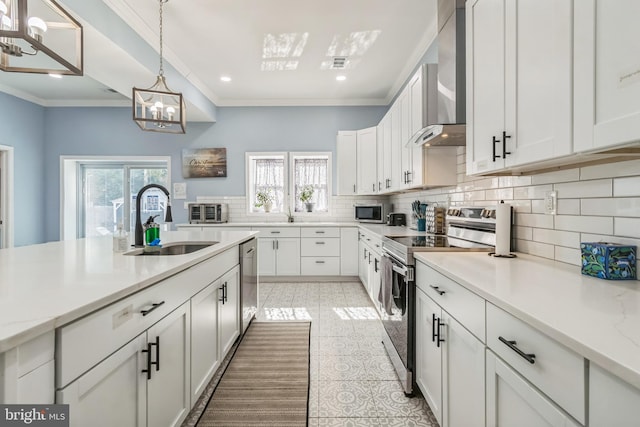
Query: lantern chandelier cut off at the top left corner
{"points": [[39, 36]]}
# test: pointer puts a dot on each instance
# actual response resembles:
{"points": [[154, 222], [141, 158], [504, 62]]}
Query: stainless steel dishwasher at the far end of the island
{"points": [[248, 282]]}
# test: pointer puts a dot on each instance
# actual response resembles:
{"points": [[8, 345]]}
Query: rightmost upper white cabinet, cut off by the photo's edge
{"points": [[607, 74]]}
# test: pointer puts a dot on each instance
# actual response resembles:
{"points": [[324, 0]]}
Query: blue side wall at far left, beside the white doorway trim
{"points": [[22, 127]]}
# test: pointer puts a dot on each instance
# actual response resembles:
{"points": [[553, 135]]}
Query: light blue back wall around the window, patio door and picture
{"points": [[110, 131]]}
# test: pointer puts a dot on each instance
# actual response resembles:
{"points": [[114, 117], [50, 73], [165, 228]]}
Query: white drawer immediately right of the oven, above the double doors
{"points": [[467, 307]]}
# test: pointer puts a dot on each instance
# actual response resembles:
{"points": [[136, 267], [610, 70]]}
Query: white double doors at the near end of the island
{"points": [[145, 383]]}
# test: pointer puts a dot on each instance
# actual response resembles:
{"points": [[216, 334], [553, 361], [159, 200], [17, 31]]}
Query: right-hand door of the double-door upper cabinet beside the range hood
{"points": [[538, 80]]}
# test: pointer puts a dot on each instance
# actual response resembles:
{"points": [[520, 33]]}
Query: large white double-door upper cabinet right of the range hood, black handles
{"points": [[519, 82]]}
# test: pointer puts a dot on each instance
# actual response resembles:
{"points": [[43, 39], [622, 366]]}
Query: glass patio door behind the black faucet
{"points": [[108, 196]]}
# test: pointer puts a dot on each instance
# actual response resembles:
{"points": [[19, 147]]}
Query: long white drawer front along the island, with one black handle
{"points": [[82, 344]]}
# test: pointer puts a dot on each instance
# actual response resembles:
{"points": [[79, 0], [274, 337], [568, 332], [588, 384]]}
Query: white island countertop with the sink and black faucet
{"points": [[46, 286]]}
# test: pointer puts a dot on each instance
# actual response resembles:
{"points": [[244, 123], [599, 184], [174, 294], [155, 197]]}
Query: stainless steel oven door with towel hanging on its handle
{"points": [[398, 337]]}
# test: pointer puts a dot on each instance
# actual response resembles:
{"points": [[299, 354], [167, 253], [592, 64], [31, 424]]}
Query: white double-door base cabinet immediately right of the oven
{"points": [[449, 366]]}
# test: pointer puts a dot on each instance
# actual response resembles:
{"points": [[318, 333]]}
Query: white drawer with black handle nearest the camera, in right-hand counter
{"points": [[557, 371]]}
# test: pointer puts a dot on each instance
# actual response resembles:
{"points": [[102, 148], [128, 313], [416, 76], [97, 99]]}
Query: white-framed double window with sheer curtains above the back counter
{"points": [[307, 174]]}
